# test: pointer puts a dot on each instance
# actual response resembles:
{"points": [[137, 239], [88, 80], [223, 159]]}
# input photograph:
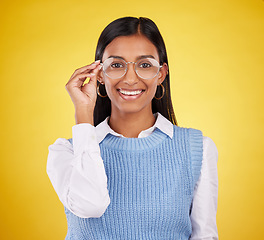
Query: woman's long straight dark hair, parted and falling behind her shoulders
{"points": [[127, 26]]}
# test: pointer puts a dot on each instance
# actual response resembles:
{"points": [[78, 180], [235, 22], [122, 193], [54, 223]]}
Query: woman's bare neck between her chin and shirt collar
{"points": [[131, 124]]}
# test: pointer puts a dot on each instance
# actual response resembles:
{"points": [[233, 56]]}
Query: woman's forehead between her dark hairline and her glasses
{"points": [[130, 47]]}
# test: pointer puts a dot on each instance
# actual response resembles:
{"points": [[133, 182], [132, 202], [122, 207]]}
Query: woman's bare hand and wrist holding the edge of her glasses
{"points": [[84, 95]]}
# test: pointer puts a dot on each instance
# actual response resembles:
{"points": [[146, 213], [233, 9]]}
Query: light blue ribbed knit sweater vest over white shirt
{"points": [[151, 182]]}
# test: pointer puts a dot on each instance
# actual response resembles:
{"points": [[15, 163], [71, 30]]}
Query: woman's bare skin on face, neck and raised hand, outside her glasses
{"points": [[129, 116]]}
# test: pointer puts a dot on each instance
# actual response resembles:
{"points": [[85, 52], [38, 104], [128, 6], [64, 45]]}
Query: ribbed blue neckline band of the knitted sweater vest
{"points": [[134, 144]]}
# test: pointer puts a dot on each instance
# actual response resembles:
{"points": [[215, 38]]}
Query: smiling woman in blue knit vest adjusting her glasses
{"points": [[130, 172]]}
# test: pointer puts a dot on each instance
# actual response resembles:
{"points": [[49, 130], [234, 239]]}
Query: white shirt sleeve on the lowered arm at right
{"points": [[204, 208]]}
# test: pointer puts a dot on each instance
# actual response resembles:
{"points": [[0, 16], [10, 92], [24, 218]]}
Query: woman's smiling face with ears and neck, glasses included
{"points": [[124, 82]]}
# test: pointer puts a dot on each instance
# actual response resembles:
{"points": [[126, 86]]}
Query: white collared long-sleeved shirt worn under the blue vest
{"points": [[78, 175]]}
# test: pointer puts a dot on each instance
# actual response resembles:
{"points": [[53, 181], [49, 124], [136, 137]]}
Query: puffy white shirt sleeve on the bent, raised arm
{"points": [[77, 172]]}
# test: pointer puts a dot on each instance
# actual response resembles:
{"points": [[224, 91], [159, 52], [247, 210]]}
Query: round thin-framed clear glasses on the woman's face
{"points": [[145, 68]]}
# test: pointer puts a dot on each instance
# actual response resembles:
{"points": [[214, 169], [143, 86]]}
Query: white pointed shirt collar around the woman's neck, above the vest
{"points": [[162, 123]]}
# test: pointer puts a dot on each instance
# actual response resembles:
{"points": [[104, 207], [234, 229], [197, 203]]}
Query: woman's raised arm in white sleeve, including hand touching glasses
{"points": [[76, 169]]}
